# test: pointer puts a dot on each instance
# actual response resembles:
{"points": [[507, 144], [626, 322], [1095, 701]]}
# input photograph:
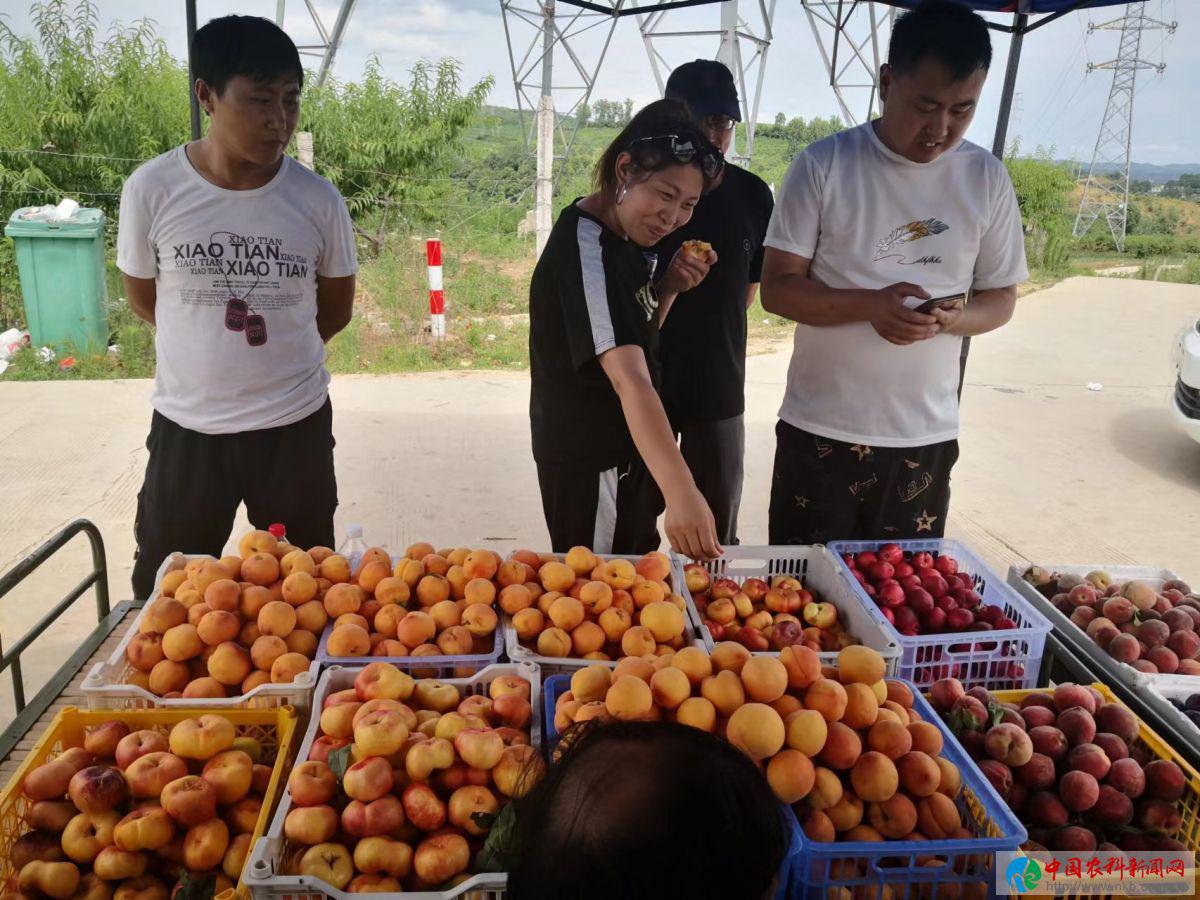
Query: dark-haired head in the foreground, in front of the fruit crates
{"points": [[640, 811]]}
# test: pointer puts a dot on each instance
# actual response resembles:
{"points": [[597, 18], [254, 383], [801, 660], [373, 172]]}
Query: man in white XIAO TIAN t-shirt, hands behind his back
{"points": [[245, 262]]}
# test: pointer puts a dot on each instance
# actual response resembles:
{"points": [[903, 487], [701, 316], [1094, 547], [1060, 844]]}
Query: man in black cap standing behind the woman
{"points": [[704, 341]]}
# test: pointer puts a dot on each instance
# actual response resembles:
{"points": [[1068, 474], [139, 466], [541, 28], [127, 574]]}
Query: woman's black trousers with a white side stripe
{"points": [[611, 512]]}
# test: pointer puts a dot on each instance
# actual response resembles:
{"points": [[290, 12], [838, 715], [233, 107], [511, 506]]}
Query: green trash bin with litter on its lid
{"points": [[63, 283]]}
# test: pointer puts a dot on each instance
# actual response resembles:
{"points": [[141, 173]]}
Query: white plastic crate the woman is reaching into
{"points": [[818, 571]]}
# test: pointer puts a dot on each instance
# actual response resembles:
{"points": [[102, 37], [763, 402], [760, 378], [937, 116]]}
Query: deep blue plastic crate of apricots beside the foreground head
{"points": [[813, 868]]}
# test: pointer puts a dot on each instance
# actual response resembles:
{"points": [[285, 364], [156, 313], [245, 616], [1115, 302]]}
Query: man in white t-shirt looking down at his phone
{"points": [[871, 224]]}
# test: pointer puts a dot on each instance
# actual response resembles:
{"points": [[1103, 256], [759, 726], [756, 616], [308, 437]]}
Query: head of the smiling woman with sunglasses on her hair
{"points": [[653, 175]]}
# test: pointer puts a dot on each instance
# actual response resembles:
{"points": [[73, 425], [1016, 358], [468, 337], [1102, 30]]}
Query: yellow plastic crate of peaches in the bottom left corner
{"points": [[274, 729]]}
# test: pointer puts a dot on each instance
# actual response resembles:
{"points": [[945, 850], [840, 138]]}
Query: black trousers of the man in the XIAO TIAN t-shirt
{"points": [[195, 482]]}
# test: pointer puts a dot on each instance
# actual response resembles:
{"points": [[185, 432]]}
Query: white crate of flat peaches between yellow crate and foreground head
{"points": [[269, 854]]}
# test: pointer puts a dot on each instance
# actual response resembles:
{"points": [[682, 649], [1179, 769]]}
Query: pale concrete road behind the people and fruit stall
{"points": [[1049, 470]]}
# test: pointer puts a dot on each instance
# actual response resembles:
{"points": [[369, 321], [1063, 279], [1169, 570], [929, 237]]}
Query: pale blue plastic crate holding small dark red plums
{"points": [[997, 661]]}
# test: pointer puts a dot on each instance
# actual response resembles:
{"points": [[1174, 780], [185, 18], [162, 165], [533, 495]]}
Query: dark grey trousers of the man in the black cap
{"points": [[716, 454]]}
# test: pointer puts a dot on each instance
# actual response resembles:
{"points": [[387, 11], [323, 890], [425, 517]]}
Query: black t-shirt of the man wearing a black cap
{"points": [[704, 340]]}
